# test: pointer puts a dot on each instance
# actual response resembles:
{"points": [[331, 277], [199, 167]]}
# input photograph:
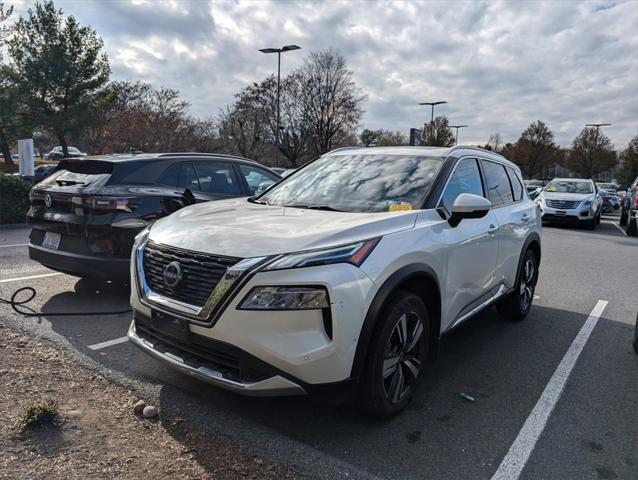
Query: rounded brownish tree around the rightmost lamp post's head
{"points": [[592, 153]]}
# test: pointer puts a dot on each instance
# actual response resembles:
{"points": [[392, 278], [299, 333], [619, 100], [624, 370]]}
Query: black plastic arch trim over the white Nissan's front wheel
{"points": [[417, 278]]}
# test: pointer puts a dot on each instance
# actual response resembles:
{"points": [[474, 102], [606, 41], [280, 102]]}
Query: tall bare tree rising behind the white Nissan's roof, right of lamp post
{"points": [[332, 103]]}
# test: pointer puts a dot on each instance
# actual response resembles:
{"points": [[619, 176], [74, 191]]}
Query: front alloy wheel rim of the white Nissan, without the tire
{"points": [[403, 357]]}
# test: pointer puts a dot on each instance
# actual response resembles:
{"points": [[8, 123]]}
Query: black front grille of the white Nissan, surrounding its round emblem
{"points": [[201, 272]]}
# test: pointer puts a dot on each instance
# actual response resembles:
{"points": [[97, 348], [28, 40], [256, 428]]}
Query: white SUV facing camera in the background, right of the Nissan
{"points": [[571, 200]]}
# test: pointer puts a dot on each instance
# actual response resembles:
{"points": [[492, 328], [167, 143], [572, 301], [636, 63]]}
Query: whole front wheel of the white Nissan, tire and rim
{"points": [[396, 356]]}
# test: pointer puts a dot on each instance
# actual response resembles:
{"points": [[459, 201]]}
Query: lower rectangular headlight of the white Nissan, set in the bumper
{"points": [[286, 298]]}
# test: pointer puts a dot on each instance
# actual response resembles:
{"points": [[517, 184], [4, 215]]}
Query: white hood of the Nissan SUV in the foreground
{"points": [[238, 228]]}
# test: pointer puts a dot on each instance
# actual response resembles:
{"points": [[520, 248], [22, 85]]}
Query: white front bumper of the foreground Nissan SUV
{"points": [[297, 343]]}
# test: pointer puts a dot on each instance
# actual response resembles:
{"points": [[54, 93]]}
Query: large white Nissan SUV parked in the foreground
{"points": [[341, 277]]}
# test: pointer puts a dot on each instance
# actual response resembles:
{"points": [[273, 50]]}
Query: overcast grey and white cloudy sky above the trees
{"points": [[500, 65]]}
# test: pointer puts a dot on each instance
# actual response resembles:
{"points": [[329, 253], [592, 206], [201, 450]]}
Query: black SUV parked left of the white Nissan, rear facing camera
{"points": [[86, 215]]}
